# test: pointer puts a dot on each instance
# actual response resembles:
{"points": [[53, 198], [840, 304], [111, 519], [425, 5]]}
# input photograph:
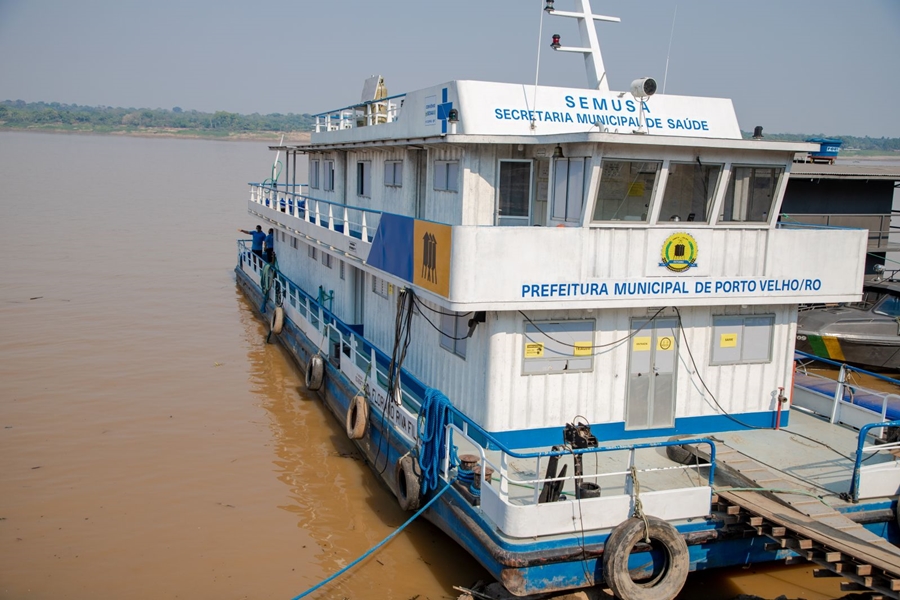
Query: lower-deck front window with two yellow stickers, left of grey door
{"points": [[558, 347]]}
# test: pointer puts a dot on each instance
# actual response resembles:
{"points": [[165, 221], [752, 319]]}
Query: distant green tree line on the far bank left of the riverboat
{"points": [[20, 114]]}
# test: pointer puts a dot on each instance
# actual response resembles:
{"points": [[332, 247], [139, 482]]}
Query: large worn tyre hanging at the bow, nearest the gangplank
{"points": [[665, 582]]}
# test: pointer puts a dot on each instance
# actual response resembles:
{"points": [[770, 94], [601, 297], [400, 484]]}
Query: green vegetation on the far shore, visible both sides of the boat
{"points": [[54, 116]]}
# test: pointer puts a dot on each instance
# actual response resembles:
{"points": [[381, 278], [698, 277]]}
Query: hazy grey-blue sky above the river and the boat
{"points": [[825, 66]]}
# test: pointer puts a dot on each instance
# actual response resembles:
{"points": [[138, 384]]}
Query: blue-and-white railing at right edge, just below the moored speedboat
{"points": [[843, 399]]}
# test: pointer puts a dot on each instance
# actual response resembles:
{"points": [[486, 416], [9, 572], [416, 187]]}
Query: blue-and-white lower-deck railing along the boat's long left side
{"points": [[339, 342]]}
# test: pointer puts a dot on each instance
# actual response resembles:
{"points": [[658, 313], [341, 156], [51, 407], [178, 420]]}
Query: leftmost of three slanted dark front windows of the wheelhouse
{"points": [[626, 187]]}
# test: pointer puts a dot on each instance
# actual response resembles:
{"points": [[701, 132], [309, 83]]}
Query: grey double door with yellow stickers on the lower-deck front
{"points": [[652, 362]]}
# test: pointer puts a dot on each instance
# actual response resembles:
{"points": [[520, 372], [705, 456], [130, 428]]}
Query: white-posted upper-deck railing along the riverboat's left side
{"points": [[351, 221]]}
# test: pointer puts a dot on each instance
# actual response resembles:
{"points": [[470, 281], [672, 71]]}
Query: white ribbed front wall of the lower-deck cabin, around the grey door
{"points": [[519, 401]]}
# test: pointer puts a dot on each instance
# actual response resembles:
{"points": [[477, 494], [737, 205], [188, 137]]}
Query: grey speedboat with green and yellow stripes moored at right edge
{"points": [[865, 333]]}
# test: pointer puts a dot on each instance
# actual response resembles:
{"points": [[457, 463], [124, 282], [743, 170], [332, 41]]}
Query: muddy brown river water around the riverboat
{"points": [[151, 444]]}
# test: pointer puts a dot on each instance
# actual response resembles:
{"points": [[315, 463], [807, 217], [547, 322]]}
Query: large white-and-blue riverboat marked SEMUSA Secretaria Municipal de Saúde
{"points": [[560, 324]]}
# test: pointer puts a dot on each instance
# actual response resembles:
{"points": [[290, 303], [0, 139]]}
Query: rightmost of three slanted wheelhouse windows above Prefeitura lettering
{"points": [[750, 195]]}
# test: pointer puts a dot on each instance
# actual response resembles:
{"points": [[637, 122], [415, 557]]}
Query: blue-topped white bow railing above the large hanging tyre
{"points": [[501, 468]]}
